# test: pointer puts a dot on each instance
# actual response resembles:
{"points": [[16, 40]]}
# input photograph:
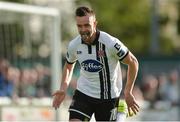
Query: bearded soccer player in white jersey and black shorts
{"points": [[99, 85]]}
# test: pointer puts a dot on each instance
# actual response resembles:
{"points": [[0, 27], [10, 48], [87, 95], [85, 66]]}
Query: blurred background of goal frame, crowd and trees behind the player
{"points": [[33, 43]]}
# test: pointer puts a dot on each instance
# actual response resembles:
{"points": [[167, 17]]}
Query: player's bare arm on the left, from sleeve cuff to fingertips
{"points": [[59, 95]]}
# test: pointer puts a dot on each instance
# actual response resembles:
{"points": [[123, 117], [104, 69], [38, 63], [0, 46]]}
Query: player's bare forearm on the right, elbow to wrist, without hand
{"points": [[133, 67]]}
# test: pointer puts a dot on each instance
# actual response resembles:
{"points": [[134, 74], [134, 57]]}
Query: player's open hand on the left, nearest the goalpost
{"points": [[58, 98]]}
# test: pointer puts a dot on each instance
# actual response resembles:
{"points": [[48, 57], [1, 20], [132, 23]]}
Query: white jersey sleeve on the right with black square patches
{"points": [[119, 50]]}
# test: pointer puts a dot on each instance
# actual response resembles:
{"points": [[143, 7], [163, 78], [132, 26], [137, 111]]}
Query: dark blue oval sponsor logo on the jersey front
{"points": [[92, 65]]}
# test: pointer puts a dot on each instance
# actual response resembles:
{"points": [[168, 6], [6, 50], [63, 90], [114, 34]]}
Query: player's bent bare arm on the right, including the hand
{"points": [[133, 66]]}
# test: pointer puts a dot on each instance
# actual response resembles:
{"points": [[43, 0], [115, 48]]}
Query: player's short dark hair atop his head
{"points": [[83, 11]]}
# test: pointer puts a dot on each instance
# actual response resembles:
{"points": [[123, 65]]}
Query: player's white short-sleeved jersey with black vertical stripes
{"points": [[100, 73]]}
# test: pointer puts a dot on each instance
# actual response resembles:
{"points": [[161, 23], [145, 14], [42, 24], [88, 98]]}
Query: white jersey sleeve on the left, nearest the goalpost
{"points": [[71, 54]]}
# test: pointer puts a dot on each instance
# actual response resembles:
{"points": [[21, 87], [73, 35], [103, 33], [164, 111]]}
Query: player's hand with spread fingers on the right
{"points": [[132, 104]]}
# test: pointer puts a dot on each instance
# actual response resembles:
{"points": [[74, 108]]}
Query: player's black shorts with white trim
{"points": [[83, 106]]}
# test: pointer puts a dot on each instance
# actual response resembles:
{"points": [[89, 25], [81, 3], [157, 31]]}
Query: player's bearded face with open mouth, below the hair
{"points": [[87, 27]]}
